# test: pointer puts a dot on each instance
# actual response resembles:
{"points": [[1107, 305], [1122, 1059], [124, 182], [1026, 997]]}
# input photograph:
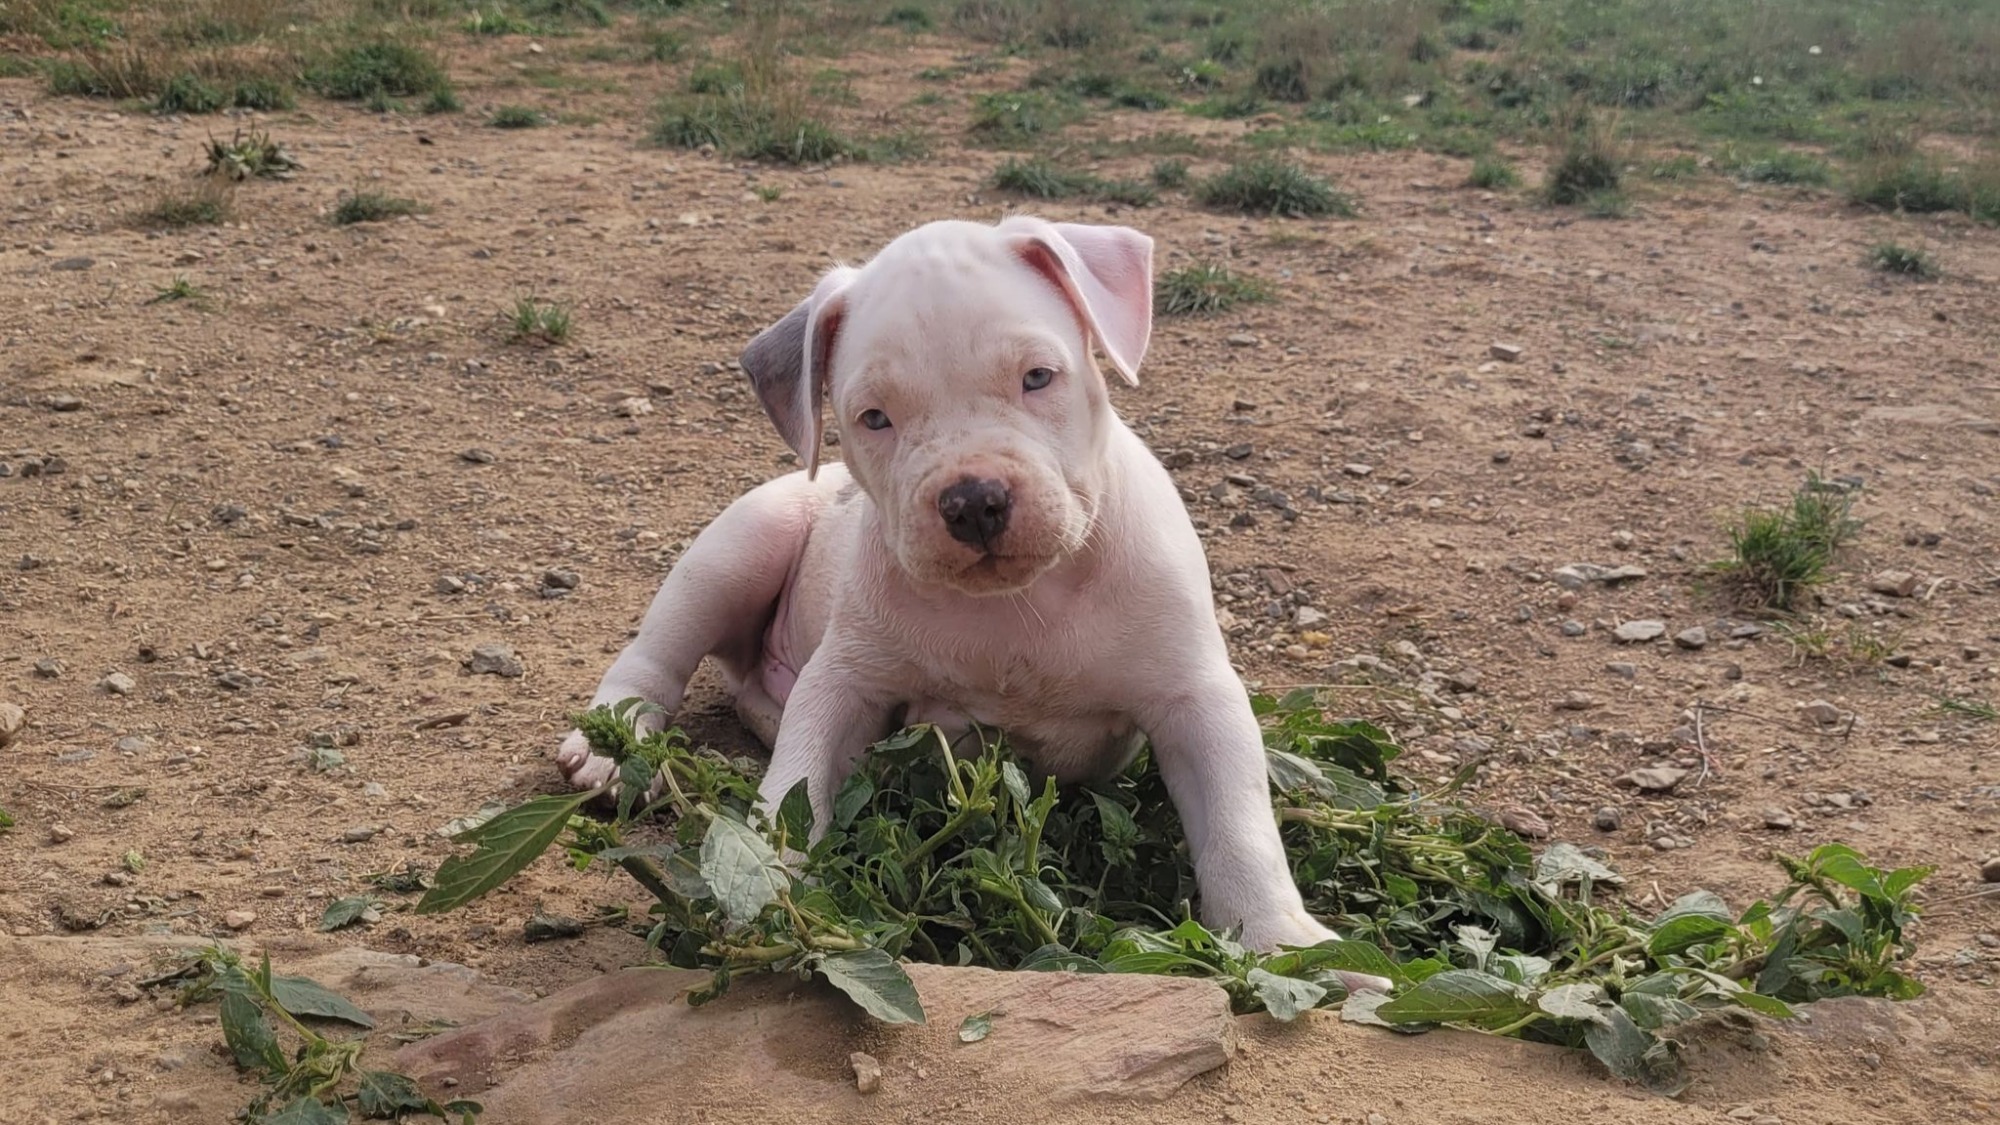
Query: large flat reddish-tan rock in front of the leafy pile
{"points": [[1111, 1036]]}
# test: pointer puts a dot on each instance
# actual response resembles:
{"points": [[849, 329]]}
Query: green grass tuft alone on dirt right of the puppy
{"points": [[1779, 553]]}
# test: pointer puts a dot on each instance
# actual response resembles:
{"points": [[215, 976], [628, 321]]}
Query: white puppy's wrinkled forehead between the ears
{"points": [[963, 297]]}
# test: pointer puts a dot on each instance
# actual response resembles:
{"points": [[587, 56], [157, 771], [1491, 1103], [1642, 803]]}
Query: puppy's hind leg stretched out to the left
{"points": [[715, 602]]}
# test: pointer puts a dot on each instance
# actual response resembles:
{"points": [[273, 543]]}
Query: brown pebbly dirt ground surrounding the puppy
{"points": [[289, 515]]}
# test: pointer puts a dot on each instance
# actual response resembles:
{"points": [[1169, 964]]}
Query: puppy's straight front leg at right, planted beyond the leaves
{"points": [[1213, 760]]}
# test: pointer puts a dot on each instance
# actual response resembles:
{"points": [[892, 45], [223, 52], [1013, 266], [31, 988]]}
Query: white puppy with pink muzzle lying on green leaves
{"points": [[997, 547]]}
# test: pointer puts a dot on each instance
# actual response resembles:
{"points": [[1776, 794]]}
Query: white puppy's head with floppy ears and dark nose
{"points": [[961, 375]]}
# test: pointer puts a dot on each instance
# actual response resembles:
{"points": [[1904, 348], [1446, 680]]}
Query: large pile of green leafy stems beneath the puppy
{"points": [[953, 856]]}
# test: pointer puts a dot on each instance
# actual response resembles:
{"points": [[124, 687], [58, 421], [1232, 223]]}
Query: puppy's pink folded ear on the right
{"points": [[1105, 273]]}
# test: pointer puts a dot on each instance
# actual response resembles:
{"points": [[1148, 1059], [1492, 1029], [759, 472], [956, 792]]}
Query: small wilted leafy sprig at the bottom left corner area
{"points": [[317, 1082]]}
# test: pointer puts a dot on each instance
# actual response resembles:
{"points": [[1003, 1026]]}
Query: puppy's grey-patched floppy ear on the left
{"points": [[789, 367]]}
